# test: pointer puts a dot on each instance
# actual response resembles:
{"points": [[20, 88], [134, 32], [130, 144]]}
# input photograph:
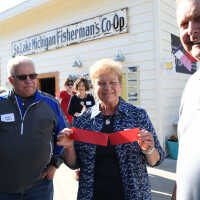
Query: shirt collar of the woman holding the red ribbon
{"points": [[120, 109]]}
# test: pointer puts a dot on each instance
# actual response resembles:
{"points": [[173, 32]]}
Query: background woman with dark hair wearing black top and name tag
{"points": [[81, 100]]}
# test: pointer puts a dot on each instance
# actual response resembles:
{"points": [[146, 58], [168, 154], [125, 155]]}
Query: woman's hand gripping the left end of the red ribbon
{"points": [[64, 138]]}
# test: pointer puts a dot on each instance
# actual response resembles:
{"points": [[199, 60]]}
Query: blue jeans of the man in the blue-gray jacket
{"points": [[42, 190]]}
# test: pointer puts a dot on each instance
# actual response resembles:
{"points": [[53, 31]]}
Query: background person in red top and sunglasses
{"points": [[64, 98]]}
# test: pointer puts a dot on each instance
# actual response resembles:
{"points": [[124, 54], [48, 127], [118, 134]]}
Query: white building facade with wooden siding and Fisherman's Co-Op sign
{"points": [[59, 34]]}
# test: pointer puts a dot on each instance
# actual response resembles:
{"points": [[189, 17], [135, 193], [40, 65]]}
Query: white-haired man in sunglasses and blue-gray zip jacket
{"points": [[29, 123]]}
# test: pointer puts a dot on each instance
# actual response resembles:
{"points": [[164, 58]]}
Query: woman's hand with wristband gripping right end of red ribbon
{"points": [[146, 140]]}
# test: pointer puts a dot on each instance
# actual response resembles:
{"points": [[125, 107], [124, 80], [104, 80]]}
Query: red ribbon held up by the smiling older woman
{"points": [[98, 138]]}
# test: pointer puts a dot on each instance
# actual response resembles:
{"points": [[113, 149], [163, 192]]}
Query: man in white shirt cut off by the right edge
{"points": [[188, 171]]}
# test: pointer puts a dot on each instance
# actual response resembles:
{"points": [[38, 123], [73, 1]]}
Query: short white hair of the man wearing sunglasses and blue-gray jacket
{"points": [[15, 62]]}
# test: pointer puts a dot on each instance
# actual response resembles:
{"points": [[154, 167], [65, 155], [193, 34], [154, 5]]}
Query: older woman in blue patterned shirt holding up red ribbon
{"points": [[112, 172]]}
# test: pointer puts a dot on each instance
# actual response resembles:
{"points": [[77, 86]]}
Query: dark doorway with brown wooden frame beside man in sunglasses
{"points": [[48, 83]]}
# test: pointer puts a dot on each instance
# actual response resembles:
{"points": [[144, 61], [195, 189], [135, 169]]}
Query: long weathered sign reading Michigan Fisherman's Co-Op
{"points": [[94, 28]]}
